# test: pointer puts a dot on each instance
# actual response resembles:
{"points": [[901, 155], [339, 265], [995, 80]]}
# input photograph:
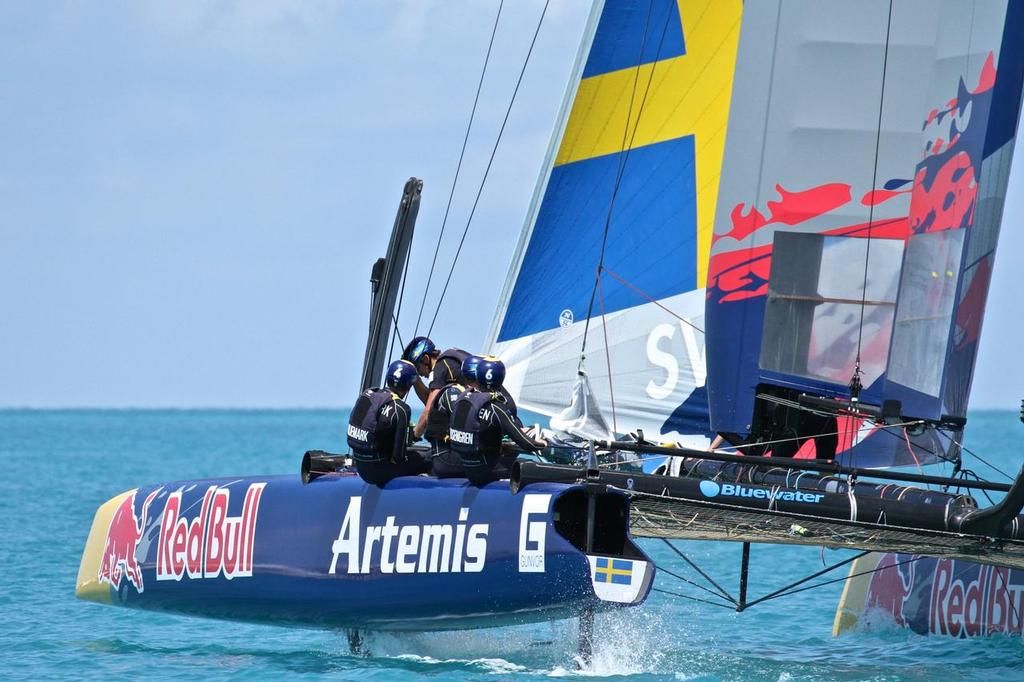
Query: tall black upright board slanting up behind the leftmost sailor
{"points": [[386, 278]]}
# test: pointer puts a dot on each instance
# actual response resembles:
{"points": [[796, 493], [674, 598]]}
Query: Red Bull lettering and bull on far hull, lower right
{"points": [[948, 598]]}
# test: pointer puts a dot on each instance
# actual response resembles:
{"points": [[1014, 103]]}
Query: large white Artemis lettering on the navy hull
{"points": [[393, 548]]}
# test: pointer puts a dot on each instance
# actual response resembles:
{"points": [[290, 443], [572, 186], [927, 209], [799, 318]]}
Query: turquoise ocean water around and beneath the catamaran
{"points": [[59, 466]]}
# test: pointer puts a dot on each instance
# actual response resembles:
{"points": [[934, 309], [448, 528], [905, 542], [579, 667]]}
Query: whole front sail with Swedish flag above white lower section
{"points": [[643, 135]]}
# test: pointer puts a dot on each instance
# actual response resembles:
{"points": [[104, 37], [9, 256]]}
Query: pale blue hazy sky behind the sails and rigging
{"points": [[192, 194]]}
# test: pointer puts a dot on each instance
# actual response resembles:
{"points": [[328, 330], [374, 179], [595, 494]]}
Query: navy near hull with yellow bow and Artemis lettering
{"points": [[419, 555]]}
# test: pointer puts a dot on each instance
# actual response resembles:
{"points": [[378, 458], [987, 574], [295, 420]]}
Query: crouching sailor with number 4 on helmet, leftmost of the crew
{"points": [[379, 430]]}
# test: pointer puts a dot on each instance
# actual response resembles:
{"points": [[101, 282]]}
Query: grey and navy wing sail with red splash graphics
{"points": [[866, 167]]}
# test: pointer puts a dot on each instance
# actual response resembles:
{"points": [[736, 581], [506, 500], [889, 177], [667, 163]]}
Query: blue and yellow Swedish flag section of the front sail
{"points": [[648, 125]]}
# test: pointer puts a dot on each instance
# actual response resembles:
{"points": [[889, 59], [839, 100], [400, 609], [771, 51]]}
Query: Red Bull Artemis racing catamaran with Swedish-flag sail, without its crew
{"points": [[699, 143]]}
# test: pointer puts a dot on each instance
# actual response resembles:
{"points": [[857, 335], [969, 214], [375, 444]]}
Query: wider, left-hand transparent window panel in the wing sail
{"points": [[820, 309]]}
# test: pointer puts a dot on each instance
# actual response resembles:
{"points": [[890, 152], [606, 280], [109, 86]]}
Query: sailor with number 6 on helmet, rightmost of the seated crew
{"points": [[480, 421]]}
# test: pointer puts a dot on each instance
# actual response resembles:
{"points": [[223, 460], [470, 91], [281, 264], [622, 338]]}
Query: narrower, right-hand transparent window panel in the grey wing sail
{"points": [[927, 293]]}
